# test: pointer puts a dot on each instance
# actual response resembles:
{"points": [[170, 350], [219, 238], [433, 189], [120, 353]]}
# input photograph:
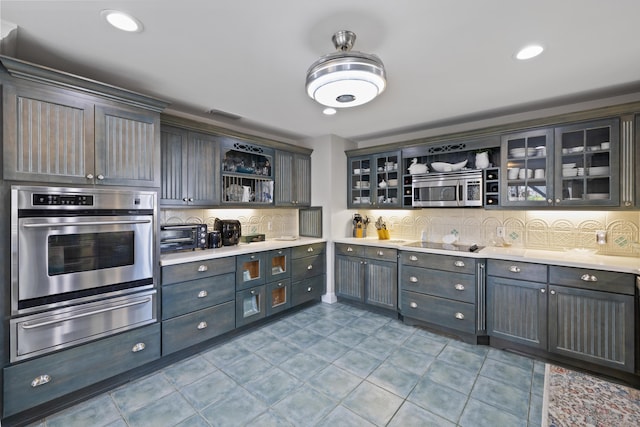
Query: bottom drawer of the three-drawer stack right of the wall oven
{"points": [[185, 331]]}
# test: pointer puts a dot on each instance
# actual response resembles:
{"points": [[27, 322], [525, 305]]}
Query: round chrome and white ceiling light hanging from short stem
{"points": [[345, 78]]}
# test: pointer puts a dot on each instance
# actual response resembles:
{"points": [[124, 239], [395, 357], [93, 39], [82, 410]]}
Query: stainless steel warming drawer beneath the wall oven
{"points": [[57, 329]]}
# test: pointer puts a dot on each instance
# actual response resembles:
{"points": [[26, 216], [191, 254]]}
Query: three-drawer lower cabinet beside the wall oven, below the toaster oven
{"points": [[198, 302]]}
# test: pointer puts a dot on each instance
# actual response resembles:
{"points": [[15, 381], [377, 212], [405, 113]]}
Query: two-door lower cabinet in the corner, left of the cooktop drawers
{"points": [[367, 274]]}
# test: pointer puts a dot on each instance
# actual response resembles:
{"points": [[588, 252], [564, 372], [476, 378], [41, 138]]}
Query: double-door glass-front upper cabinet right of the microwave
{"points": [[573, 165]]}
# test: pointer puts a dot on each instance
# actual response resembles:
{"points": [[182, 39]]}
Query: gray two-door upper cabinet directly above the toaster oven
{"points": [[189, 168]]}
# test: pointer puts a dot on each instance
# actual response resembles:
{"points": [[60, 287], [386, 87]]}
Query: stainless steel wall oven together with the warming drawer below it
{"points": [[82, 263]]}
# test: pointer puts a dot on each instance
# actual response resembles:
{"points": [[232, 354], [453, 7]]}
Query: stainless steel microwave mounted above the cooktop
{"points": [[447, 189]]}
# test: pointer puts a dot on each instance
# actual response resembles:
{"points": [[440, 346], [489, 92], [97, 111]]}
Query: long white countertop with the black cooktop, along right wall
{"points": [[567, 259]]}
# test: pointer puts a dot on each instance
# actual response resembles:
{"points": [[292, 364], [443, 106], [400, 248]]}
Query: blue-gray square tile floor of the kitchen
{"points": [[328, 365]]}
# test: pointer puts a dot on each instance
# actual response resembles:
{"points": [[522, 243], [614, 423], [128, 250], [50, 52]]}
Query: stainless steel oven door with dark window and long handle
{"points": [[66, 254]]}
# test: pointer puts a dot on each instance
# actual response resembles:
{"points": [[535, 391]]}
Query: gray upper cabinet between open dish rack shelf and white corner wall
{"points": [[292, 179]]}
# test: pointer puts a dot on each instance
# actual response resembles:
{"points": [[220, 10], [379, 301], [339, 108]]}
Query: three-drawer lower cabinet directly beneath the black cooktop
{"points": [[442, 290]]}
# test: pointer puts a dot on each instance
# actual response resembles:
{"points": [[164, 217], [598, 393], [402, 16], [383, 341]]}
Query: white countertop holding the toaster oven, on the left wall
{"points": [[240, 249]]}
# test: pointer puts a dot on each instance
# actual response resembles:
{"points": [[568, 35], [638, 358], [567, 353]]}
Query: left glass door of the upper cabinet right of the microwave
{"points": [[528, 175]]}
